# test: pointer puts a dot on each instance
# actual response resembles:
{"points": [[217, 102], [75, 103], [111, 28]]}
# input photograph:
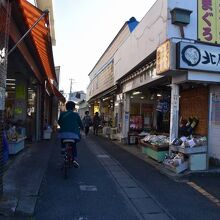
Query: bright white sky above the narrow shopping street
{"points": [[84, 29]]}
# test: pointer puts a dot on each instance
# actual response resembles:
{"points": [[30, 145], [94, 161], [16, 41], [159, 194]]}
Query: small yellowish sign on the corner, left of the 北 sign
{"points": [[163, 58]]}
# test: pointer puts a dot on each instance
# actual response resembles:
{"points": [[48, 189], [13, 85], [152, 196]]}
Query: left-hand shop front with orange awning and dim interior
{"points": [[26, 104]]}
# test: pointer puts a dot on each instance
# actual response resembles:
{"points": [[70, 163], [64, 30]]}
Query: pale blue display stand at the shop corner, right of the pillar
{"points": [[197, 156]]}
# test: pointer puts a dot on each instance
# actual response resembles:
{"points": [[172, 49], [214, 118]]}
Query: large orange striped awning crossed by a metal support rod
{"points": [[41, 36]]}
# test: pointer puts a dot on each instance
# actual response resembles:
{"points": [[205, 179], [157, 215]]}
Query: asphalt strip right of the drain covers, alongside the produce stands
{"points": [[179, 199]]}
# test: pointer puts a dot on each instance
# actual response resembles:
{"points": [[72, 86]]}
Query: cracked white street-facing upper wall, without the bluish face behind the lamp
{"points": [[147, 36]]}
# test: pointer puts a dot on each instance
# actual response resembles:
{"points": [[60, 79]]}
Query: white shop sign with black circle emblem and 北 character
{"points": [[198, 57]]}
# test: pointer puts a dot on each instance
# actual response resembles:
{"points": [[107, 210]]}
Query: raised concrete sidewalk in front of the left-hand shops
{"points": [[23, 177]]}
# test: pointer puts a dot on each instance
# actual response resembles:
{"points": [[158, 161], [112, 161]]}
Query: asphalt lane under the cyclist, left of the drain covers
{"points": [[88, 193]]}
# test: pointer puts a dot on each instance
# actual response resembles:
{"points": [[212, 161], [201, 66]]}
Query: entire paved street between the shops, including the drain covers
{"points": [[114, 184]]}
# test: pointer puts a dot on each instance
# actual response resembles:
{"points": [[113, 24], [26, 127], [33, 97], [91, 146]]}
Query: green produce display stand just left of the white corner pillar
{"points": [[157, 152]]}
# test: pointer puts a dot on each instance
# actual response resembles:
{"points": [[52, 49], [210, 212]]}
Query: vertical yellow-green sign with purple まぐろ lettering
{"points": [[208, 21]]}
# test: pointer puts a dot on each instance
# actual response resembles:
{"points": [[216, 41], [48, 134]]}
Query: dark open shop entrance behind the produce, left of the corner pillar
{"points": [[150, 110]]}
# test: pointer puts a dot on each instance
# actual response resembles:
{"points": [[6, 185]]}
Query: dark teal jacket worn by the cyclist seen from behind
{"points": [[70, 121]]}
